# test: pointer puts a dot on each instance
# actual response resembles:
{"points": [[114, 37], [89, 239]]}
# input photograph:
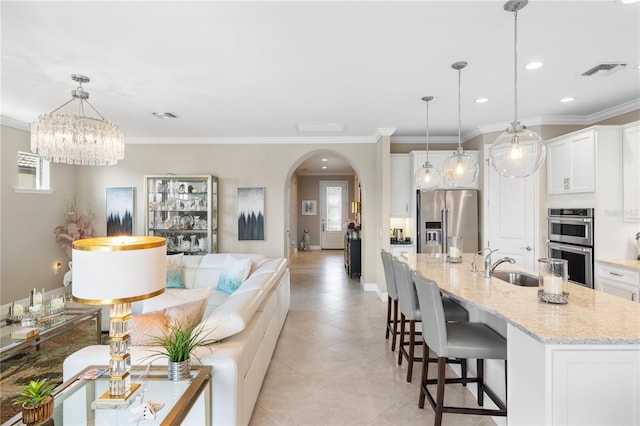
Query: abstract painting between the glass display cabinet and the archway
{"points": [[251, 214]]}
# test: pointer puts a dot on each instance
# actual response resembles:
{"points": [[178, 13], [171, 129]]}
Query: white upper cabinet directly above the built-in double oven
{"points": [[571, 163]]}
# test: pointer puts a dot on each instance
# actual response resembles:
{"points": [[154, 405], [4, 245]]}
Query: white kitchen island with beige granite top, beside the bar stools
{"points": [[577, 363]]}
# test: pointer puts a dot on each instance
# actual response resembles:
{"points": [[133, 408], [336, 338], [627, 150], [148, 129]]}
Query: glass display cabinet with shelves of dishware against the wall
{"points": [[184, 210]]}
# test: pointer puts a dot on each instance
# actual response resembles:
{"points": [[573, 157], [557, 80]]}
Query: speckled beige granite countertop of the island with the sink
{"points": [[590, 317]]}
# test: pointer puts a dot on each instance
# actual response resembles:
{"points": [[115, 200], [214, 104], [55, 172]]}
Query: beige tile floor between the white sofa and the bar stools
{"points": [[332, 364]]}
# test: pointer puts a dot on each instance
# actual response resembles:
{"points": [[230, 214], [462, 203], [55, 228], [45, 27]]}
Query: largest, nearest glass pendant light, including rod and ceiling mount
{"points": [[518, 152]]}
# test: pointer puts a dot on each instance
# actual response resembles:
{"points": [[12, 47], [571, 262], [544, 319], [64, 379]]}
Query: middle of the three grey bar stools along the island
{"points": [[410, 311]]}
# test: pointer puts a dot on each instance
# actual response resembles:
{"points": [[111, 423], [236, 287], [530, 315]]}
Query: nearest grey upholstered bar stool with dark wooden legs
{"points": [[459, 340]]}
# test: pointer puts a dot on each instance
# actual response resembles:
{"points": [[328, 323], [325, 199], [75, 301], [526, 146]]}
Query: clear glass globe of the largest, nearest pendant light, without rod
{"points": [[518, 152]]}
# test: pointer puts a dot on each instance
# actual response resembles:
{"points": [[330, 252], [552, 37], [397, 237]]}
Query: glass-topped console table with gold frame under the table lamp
{"points": [[73, 398]]}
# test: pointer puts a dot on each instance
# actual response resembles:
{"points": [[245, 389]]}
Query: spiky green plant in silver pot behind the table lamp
{"points": [[178, 345]]}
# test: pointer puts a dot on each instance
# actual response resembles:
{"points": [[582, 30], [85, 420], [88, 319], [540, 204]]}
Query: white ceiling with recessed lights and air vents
{"points": [[255, 70]]}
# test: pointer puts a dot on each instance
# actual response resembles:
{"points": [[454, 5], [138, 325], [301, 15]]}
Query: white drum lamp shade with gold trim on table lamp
{"points": [[112, 270]]}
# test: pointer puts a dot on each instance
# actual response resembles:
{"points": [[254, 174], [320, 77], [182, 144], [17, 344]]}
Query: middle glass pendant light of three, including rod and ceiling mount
{"points": [[460, 169]]}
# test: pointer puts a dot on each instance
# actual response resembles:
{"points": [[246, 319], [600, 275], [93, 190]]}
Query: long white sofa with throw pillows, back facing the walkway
{"points": [[251, 317]]}
